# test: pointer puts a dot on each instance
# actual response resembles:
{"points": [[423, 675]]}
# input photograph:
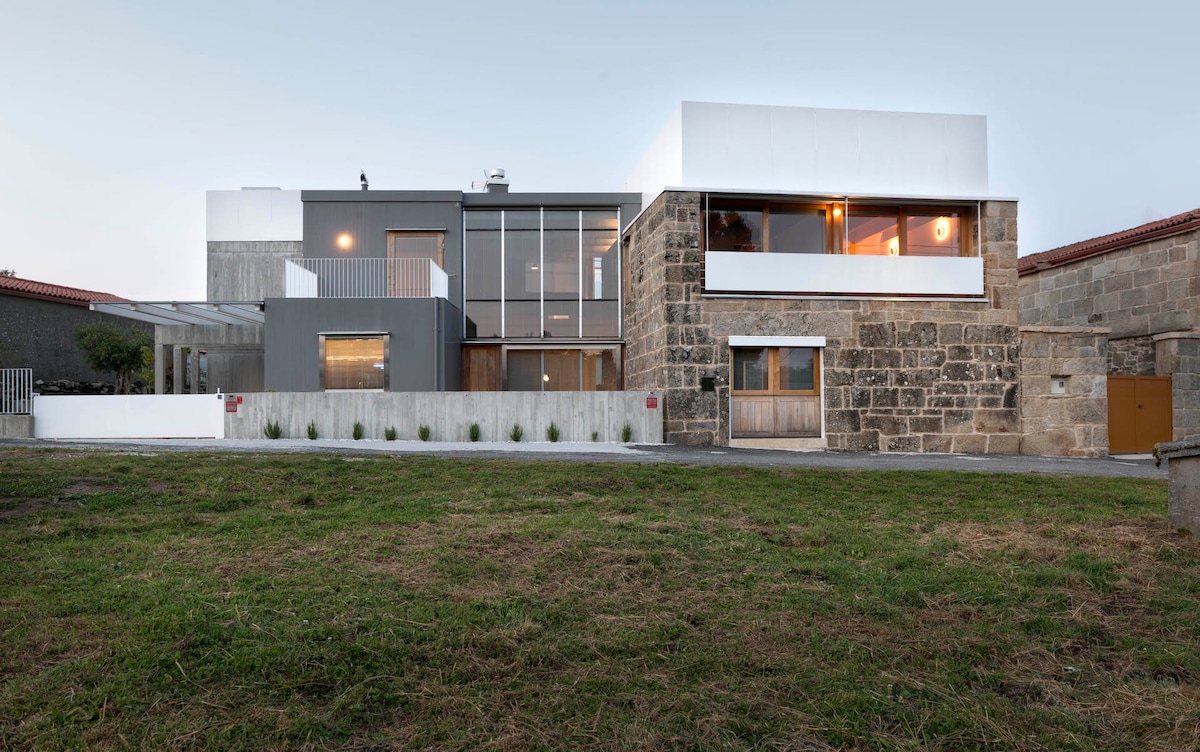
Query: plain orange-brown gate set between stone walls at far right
{"points": [[1139, 413]]}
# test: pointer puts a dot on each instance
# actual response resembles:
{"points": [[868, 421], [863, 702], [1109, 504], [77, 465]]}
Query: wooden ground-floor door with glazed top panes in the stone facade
{"points": [[777, 393]]}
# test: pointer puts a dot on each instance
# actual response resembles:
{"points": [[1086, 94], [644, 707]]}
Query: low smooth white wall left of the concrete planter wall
{"points": [[130, 417]]}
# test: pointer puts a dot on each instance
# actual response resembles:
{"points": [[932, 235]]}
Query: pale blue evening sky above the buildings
{"points": [[116, 118]]}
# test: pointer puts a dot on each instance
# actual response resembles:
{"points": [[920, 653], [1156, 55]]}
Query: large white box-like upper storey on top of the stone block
{"points": [[817, 152]]}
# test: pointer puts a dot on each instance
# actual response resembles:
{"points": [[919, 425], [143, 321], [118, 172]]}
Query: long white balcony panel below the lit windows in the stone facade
{"points": [[848, 275]]}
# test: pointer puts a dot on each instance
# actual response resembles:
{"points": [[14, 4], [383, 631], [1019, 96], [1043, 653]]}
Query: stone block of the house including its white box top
{"points": [[785, 290]]}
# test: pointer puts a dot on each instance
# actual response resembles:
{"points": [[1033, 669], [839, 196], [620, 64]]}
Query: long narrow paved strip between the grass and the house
{"points": [[1135, 466]]}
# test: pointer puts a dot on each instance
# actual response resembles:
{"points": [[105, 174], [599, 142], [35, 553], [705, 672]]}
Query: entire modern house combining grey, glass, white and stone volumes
{"points": [[787, 278]]}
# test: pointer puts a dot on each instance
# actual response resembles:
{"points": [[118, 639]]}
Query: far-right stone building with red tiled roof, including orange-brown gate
{"points": [[1141, 291]]}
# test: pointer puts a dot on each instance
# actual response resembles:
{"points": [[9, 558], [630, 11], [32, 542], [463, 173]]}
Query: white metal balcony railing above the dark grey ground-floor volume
{"points": [[365, 279]]}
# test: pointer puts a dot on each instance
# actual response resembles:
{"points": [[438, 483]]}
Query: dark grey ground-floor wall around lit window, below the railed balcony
{"points": [[418, 359]]}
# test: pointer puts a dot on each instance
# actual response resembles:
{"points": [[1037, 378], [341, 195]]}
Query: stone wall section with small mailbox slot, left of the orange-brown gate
{"points": [[1075, 424]]}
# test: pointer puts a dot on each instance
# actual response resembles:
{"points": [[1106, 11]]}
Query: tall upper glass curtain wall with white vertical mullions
{"points": [[542, 274]]}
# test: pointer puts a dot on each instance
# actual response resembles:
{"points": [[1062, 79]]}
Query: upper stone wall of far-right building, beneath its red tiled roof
{"points": [[1141, 291]]}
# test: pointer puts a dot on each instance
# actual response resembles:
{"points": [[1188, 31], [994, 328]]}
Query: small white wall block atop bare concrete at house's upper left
{"points": [[255, 214]]}
